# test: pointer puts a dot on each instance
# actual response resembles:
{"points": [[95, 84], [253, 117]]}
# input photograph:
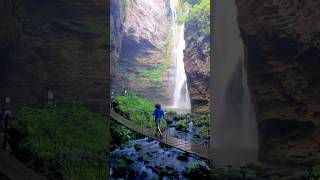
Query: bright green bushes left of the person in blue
{"points": [[136, 109]]}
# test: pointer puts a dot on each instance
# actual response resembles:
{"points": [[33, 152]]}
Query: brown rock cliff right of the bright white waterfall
{"points": [[197, 67]]}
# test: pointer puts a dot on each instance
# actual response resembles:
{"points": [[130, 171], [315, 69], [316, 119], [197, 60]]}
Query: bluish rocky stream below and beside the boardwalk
{"points": [[148, 159]]}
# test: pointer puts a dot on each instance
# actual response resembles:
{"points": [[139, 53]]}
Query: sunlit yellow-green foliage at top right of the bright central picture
{"points": [[198, 14]]}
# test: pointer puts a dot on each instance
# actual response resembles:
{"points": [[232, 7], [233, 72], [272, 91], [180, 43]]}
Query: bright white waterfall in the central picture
{"points": [[181, 99]]}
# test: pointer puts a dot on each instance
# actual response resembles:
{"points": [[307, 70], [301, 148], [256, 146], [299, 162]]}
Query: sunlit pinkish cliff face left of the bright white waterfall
{"points": [[142, 65]]}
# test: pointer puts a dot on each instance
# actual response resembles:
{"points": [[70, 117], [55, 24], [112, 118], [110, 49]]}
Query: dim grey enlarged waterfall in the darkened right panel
{"points": [[235, 137]]}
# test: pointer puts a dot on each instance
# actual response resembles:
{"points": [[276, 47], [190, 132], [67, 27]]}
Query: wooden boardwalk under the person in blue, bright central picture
{"points": [[178, 143]]}
